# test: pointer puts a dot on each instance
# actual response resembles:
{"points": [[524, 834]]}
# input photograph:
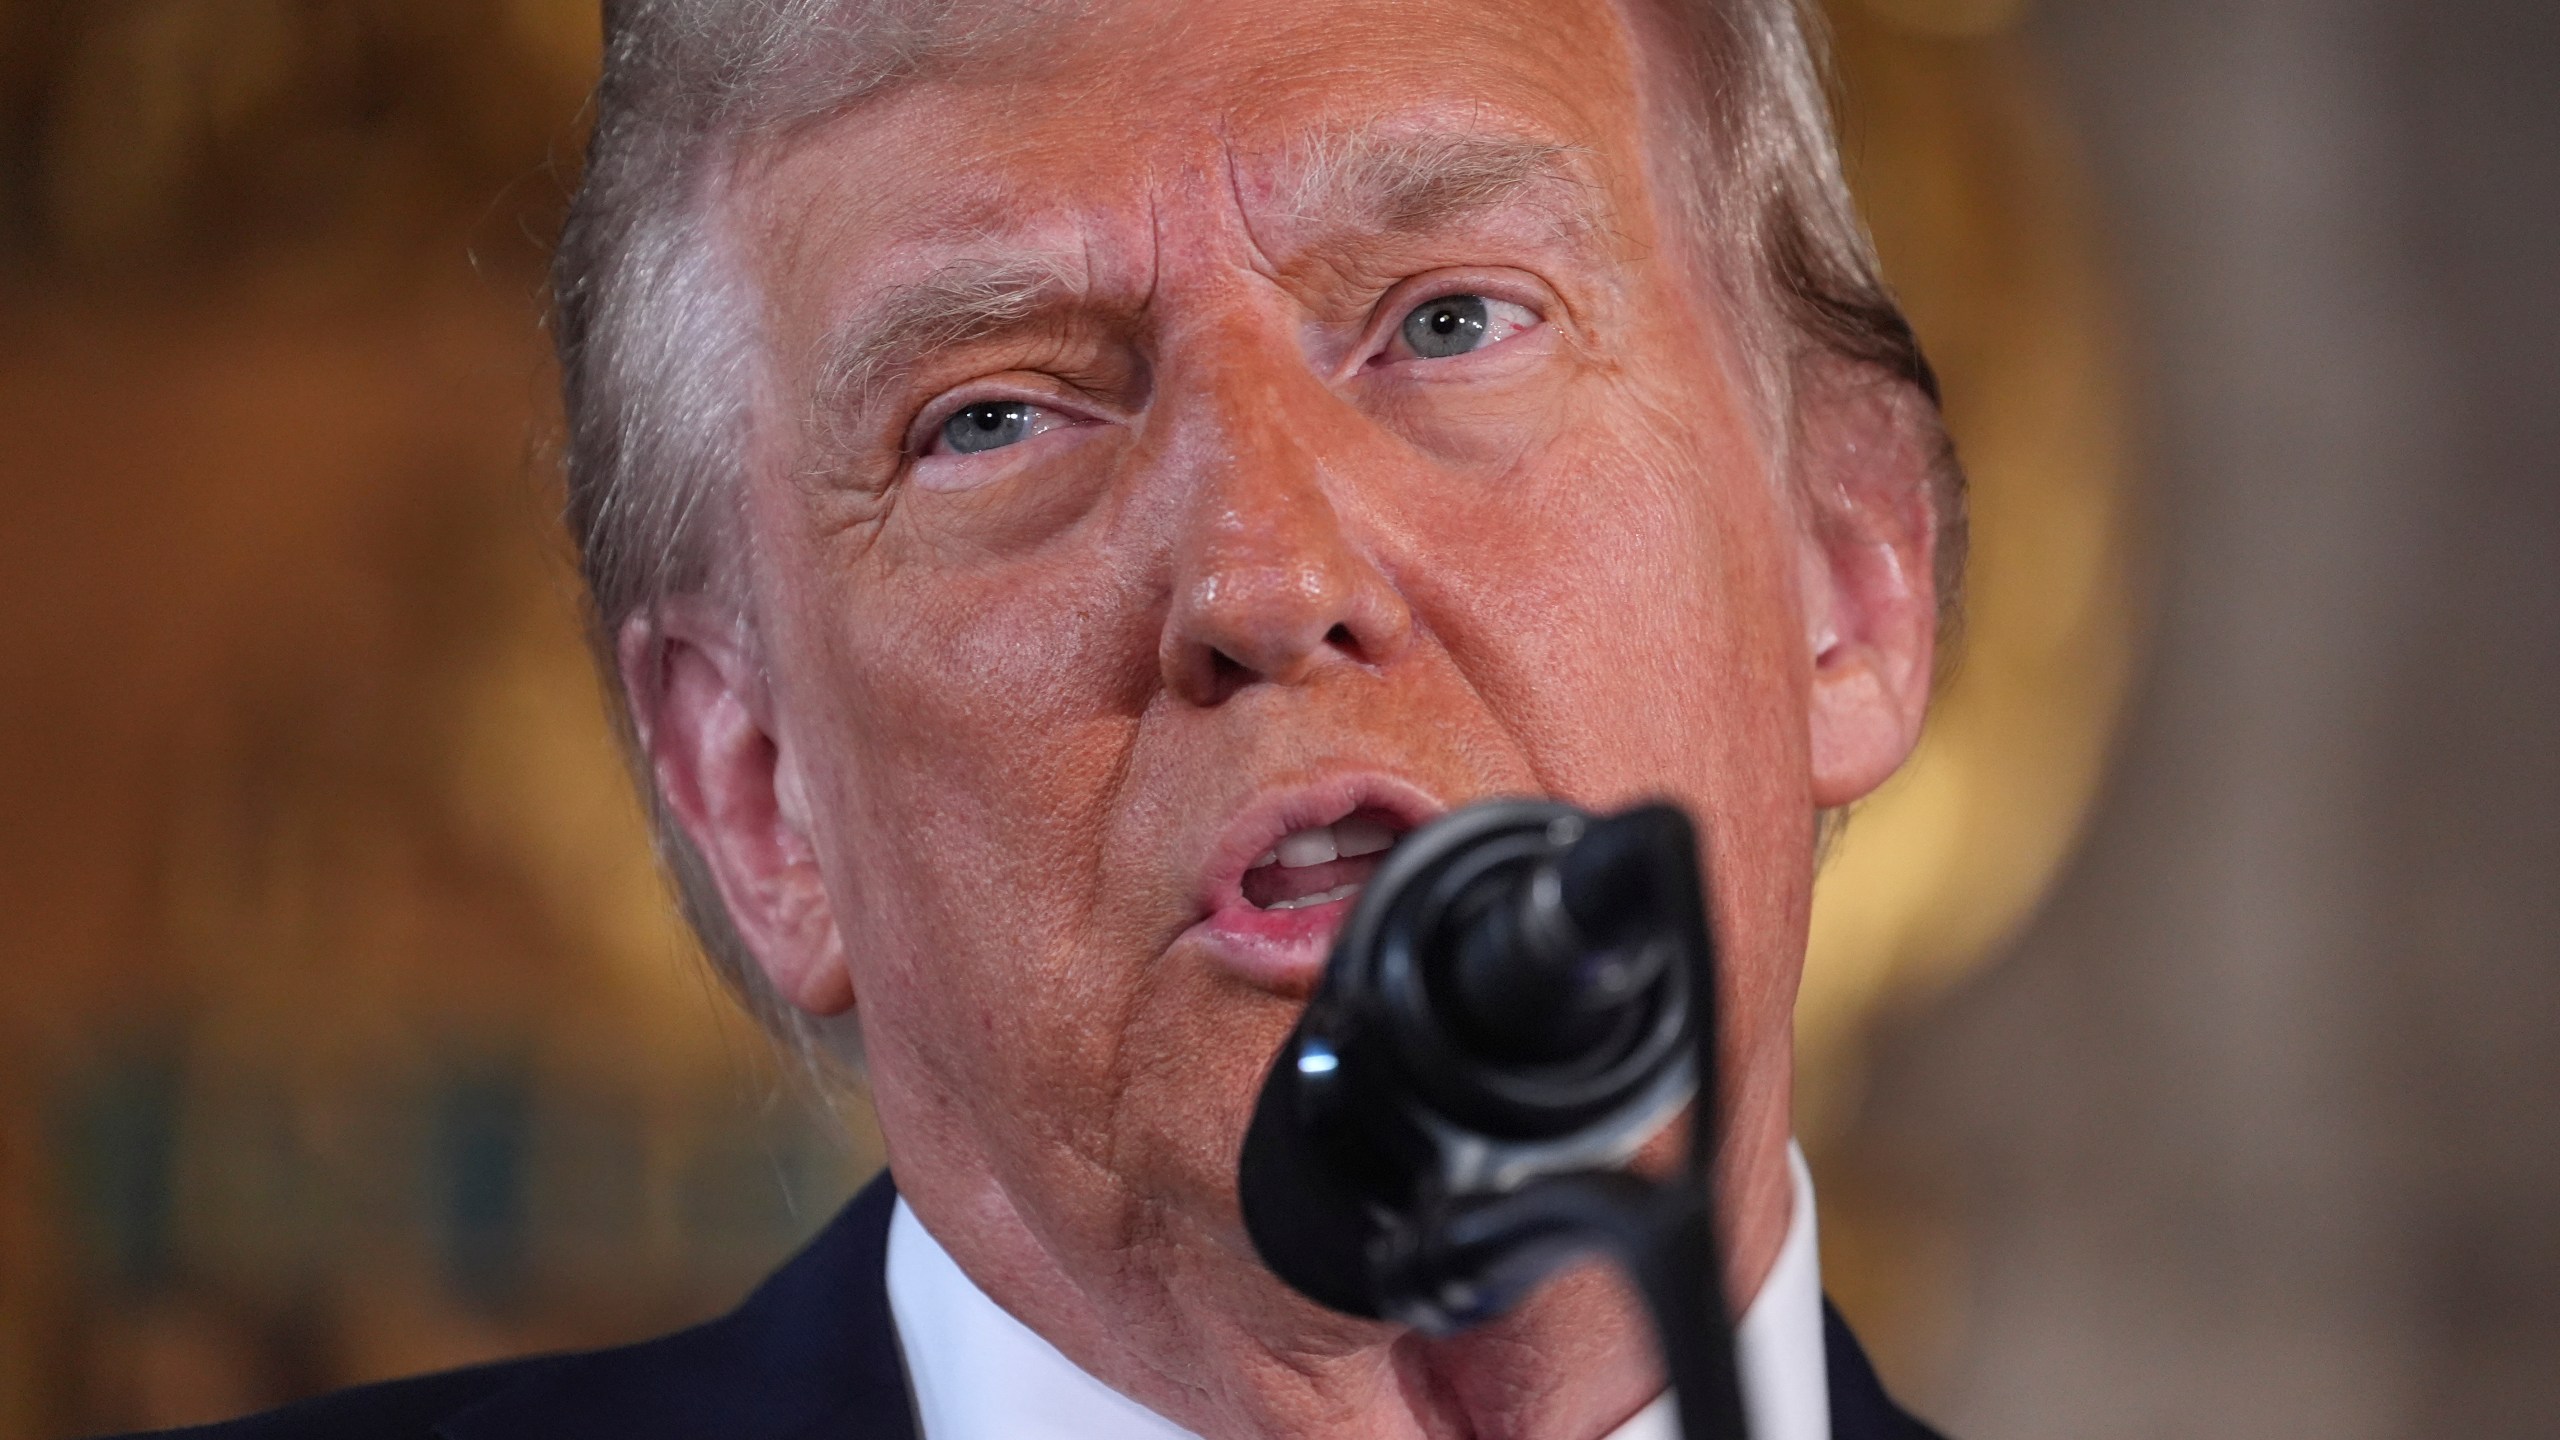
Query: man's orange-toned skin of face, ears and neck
{"points": [[992, 716]]}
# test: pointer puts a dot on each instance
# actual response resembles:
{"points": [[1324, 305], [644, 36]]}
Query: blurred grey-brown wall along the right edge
{"points": [[2259, 1129]]}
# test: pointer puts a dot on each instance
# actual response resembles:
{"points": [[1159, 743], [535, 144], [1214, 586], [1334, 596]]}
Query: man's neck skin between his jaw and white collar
{"points": [[1192, 1326]]}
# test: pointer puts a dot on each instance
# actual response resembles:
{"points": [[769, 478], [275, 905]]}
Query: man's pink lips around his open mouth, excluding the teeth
{"points": [[1284, 949]]}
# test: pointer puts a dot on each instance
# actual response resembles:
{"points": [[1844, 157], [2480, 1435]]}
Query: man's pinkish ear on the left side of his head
{"points": [[705, 721]]}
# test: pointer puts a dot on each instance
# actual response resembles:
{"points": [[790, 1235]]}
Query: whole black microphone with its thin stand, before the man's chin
{"points": [[1519, 1001]]}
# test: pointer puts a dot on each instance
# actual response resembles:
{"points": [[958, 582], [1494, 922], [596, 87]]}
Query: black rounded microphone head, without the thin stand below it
{"points": [[1499, 1008]]}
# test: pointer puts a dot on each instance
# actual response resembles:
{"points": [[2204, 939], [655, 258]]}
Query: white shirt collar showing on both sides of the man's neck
{"points": [[982, 1375]]}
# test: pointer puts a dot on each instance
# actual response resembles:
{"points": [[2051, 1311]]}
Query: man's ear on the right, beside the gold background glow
{"points": [[1868, 465]]}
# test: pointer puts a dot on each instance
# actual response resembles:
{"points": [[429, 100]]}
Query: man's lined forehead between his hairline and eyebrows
{"points": [[1128, 114]]}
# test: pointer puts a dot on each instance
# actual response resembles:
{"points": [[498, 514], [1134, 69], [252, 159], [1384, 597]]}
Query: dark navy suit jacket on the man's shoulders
{"points": [[810, 1357]]}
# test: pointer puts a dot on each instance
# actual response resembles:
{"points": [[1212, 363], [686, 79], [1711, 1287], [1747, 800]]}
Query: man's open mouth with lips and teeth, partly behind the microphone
{"points": [[1289, 872]]}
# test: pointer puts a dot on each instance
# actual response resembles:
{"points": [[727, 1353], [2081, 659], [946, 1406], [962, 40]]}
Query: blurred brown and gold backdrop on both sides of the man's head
{"points": [[347, 1026]]}
